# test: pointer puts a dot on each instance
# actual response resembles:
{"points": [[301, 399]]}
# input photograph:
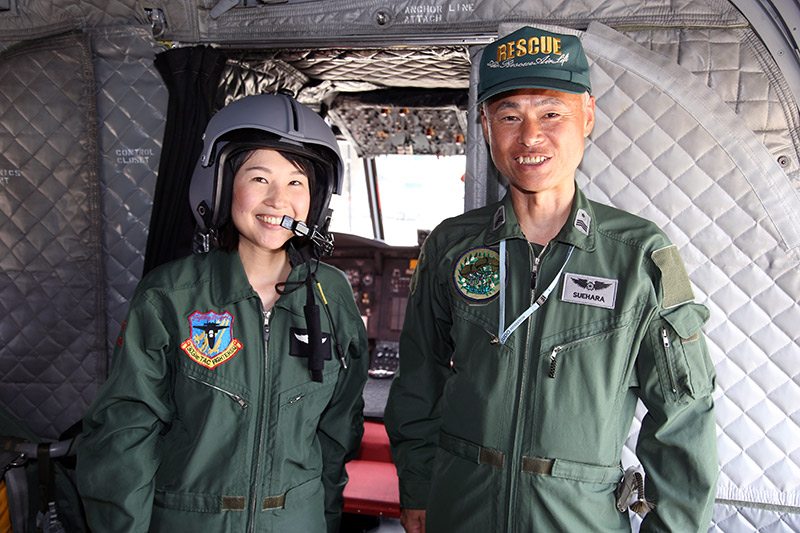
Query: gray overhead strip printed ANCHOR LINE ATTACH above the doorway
{"points": [[364, 21]]}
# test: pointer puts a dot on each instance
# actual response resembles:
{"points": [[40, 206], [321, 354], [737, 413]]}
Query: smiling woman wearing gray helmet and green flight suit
{"points": [[234, 397]]}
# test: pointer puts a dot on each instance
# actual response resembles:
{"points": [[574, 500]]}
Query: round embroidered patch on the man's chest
{"points": [[477, 274]]}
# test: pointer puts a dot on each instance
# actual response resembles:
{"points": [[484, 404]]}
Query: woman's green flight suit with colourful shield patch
{"points": [[202, 426]]}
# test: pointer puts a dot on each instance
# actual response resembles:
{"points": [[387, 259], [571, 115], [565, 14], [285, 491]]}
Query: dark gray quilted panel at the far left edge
{"points": [[52, 312]]}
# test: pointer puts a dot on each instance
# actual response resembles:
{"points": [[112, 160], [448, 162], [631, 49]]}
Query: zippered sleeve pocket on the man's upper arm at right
{"points": [[685, 370]]}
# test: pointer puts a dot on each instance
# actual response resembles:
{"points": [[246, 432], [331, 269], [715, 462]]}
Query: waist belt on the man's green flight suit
{"points": [[559, 468]]}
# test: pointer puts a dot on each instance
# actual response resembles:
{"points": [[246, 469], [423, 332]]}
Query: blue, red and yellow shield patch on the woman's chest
{"points": [[211, 342]]}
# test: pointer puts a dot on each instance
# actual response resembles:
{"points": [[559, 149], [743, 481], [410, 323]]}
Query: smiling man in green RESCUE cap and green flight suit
{"points": [[533, 327]]}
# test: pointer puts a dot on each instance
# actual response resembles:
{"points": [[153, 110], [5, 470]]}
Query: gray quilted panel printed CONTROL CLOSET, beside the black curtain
{"points": [[132, 109]]}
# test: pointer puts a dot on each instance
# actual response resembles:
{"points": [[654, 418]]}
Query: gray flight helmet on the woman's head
{"points": [[263, 121]]}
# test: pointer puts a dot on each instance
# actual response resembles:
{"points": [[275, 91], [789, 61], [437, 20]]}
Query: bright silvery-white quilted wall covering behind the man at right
{"points": [[722, 181]]}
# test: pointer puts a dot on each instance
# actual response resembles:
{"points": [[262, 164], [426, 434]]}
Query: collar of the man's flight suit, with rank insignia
{"points": [[578, 230]]}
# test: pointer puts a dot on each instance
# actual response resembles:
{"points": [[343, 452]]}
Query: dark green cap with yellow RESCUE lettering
{"points": [[531, 58]]}
